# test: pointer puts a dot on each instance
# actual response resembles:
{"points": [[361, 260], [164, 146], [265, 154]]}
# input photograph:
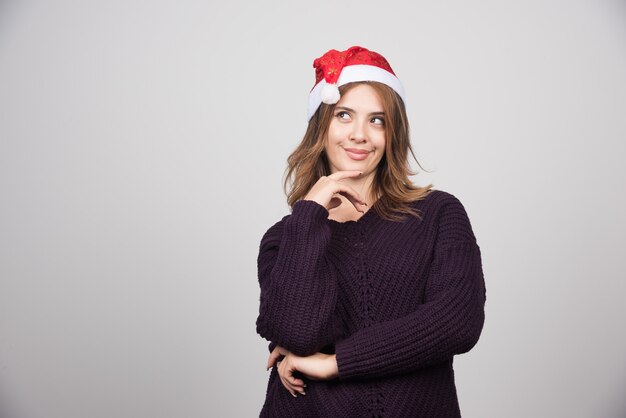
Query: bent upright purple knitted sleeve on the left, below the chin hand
{"points": [[298, 285]]}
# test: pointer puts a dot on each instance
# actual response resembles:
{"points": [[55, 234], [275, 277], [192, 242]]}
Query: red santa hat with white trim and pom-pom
{"points": [[336, 68]]}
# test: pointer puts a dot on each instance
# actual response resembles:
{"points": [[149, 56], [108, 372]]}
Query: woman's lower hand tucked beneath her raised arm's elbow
{"points": [[318, 366]]}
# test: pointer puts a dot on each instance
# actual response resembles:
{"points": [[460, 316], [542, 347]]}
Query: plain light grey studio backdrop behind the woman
{"points": [[142, 149]]}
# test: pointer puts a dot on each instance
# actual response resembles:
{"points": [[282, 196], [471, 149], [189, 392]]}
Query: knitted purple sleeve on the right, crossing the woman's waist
{"points": [[449, 321]]}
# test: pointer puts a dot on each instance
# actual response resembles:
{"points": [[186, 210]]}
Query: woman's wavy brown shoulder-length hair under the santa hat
{"points": [[308, 162]]}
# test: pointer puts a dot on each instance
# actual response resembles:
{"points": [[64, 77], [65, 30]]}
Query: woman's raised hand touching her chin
{"points": [[326, 187]]}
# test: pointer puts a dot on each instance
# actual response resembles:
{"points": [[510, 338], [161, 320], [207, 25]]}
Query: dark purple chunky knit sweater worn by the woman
{"points": [[394, 300]]}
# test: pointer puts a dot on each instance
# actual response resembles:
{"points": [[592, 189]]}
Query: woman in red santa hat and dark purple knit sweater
{"points": [[371, 285]]}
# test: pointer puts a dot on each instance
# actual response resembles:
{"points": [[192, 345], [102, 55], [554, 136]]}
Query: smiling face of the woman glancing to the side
{"points": [[356, 135]]}
